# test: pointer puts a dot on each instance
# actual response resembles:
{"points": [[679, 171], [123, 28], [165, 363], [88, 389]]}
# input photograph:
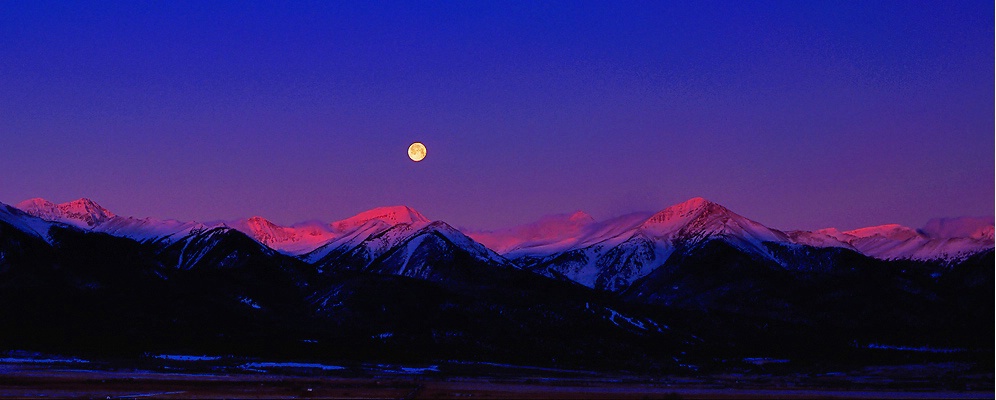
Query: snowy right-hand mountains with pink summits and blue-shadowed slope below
{"points": [[612, 254]]}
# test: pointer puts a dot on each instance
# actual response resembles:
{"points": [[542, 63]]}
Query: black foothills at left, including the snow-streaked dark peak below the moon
{"points": [[219, 291]]}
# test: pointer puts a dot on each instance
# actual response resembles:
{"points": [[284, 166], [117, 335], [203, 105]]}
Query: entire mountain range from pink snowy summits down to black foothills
{"points": [[692, 283]]}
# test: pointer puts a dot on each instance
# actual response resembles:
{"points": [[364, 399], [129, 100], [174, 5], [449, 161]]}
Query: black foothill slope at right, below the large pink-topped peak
{"points": [[851, 297]]}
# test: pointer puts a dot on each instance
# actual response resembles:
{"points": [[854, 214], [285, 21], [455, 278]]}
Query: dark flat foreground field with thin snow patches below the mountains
{"points": [[69, 379]]}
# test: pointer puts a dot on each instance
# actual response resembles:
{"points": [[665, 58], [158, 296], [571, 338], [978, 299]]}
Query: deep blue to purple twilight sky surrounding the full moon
{"points": [[797, 114]]}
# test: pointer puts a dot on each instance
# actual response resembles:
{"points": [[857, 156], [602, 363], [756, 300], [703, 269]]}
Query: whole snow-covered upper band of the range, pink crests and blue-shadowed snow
{"points": [[612, 252]]}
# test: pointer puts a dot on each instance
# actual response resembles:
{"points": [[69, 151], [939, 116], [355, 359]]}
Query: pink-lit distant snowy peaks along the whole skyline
{"points": [[941, 239]]}
